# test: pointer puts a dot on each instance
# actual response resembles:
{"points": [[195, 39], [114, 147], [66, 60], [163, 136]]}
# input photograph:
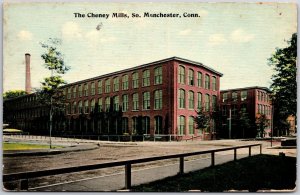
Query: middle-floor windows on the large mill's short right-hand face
{"points": [[200, 103]]}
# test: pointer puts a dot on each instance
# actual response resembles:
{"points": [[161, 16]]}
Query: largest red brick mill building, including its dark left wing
{"points": [[158, 98]]}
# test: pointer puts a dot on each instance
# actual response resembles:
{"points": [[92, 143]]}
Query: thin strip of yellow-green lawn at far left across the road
{"points": [[24, 146]]}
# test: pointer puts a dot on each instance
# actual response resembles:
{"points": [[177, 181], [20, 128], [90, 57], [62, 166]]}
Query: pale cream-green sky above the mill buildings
{"points": [[235, 39]]}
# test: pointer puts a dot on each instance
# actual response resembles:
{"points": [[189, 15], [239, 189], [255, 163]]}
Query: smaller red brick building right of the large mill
{"points": [[252, 101]]}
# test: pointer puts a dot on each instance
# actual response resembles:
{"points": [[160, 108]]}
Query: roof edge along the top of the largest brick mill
{"points": [[146, 65]]}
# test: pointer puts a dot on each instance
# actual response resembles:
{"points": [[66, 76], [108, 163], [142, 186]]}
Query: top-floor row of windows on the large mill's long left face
{"points": [[105, 85]]}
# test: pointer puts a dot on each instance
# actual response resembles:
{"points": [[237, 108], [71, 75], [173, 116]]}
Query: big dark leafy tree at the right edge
{"points": [[284, 86]]}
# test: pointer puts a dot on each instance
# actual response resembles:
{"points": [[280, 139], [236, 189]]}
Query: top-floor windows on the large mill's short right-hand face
{"points": [[191, 79]]}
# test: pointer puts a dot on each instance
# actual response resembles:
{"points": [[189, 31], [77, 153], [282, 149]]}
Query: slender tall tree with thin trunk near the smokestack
{"points": [[51, 93]]}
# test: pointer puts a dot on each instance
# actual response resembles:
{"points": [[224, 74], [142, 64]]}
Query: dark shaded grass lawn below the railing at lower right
{"points": [[260, 172]]}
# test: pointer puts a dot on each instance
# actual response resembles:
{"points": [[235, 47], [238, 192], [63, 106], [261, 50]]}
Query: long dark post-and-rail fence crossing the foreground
{"points": [[24, 176]]}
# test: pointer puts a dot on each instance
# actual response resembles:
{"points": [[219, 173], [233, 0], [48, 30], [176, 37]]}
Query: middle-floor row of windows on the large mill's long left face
{"points": [[89, 106]]}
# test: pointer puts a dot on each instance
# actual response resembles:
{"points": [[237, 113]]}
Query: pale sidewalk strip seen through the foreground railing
{"points": [[117, 181]]}
